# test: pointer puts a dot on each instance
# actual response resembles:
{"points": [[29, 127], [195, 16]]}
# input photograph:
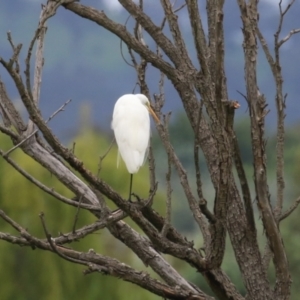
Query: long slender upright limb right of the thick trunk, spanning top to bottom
{"points": [[257, 105]]}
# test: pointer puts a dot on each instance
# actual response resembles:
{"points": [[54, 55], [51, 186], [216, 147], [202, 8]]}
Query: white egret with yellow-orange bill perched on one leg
{"points": [[131, 126]]}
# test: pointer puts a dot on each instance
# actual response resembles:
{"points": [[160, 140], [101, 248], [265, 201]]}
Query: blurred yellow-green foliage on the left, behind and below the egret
{"points": [[36, 274]]}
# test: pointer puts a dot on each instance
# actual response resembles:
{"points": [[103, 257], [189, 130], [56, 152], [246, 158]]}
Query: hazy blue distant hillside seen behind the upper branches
{"points": [[83, 62]]}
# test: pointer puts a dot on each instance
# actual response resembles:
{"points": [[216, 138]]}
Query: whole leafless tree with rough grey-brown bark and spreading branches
{"points": [[202, 90]]}
